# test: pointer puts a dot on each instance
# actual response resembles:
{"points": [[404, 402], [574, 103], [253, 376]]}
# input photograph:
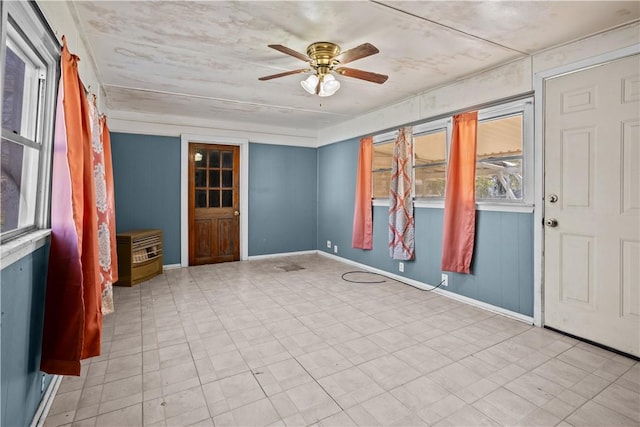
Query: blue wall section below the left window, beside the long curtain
{"points": [[22, 301]]}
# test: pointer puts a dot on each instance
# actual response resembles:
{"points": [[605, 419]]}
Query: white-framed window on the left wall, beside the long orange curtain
{"points": [[29, 67]]}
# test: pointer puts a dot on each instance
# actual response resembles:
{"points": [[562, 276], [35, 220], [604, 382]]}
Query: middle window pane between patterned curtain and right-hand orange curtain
{"points": [[430, 164]]}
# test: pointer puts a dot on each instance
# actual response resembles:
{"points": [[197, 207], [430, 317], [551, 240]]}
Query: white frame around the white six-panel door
{"points": [[539, 79]]}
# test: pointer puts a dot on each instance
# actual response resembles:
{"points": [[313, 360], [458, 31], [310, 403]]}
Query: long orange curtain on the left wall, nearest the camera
{"points": [[73, 312]]}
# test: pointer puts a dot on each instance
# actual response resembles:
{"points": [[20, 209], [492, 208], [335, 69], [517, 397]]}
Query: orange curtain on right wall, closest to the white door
{"points": [[460, 196]]}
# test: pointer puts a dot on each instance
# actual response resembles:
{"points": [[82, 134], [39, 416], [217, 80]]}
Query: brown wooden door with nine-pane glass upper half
{"points": [[214, 194]]}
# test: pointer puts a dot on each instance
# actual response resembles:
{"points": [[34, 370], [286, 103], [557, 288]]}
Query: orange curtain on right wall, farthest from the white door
{"points": [[362, 215]]}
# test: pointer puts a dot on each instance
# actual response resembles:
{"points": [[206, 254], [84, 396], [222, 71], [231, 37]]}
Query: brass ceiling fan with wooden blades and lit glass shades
{"points": [[325, 58]]}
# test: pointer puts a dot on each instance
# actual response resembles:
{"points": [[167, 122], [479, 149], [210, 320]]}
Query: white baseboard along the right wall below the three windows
{"points": [[440, 291]]}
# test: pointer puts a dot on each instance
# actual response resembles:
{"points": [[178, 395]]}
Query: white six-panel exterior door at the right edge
{"points": [[592, 204]]}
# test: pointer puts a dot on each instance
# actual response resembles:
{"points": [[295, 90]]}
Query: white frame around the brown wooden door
{"points": [[243, 143]]}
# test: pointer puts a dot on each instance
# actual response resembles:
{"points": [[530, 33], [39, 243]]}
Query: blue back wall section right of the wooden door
{"points": [[282, 199]]}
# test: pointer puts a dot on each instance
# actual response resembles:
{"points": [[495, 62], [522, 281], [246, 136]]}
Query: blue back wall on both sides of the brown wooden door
{"points": [[282, 193]]}
